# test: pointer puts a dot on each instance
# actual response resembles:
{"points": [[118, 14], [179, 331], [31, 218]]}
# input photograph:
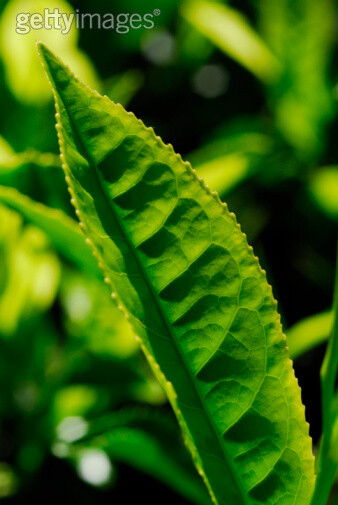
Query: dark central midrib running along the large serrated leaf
{"points": [[160, 310]]}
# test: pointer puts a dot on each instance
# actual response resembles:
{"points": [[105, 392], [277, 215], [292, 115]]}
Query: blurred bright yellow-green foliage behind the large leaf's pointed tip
{"points": [[22, 69]]}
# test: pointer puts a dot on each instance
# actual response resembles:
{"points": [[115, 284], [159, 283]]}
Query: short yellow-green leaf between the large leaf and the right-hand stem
{"points": [[308, 333]]}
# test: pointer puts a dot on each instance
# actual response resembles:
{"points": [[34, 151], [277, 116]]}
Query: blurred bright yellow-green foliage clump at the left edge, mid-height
{"points": [[30, 273]]}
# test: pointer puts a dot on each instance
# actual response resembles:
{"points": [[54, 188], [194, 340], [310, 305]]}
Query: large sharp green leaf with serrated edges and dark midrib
{"points": [[195, 295]]}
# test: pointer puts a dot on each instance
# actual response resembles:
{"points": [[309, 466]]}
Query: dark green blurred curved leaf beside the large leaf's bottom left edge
{"points": [[147, 440]]}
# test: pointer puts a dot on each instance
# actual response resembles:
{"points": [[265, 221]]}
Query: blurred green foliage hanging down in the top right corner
{"points": [[301, 35]]}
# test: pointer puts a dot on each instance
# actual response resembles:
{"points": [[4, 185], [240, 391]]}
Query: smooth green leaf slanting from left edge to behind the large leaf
{"points": [[62, 230]]}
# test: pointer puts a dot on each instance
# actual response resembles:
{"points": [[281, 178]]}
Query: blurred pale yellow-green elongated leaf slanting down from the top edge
{"points": [[229, 30]]}
